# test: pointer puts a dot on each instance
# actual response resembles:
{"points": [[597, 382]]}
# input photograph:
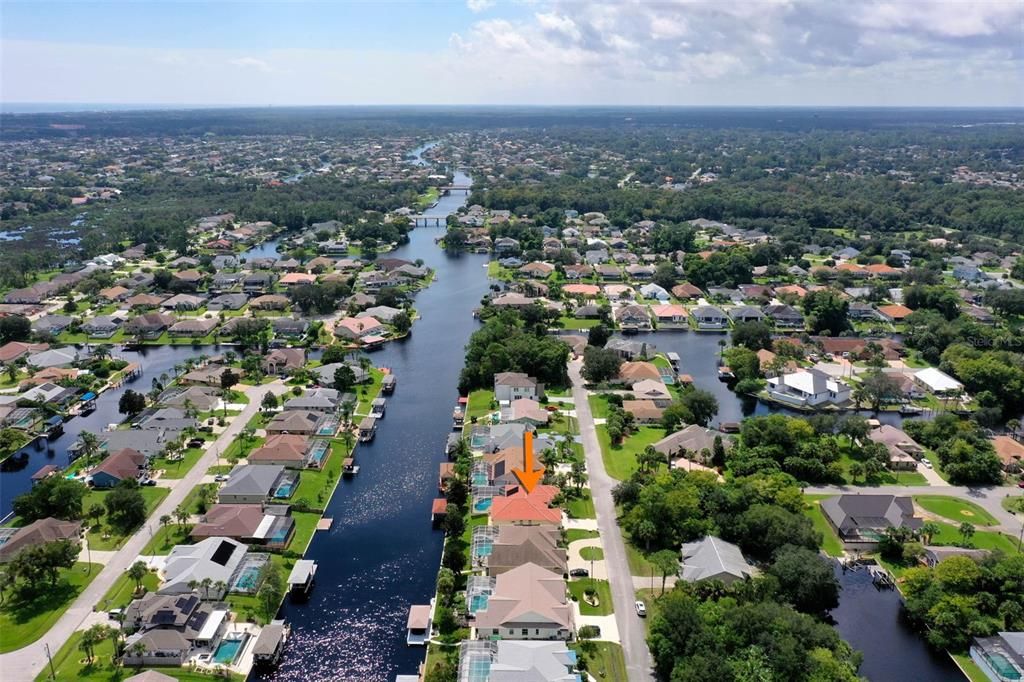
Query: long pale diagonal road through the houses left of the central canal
{"points": [[27, 663]]}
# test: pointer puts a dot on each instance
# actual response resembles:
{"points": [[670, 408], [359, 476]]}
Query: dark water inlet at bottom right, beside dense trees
{"points": [[872, 621]]}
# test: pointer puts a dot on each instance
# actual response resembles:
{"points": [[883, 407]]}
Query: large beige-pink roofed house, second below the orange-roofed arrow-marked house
{"points": [[528, 603]]}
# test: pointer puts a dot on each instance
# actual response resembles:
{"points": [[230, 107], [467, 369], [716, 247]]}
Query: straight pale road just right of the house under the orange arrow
{"points": [[632, 632]]}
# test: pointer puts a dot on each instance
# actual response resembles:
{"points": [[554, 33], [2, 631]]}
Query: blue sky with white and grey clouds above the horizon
{"points": [[869, 53]]}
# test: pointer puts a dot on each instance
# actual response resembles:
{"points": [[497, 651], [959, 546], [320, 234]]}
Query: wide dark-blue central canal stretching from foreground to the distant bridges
{"points": [[381, 555]]}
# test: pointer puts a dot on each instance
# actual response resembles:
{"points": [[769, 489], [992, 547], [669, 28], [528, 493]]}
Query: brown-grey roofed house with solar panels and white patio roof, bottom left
{"points": [[167, 630]]}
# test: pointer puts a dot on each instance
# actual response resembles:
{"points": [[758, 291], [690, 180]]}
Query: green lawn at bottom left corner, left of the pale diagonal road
{"points": [[24, 622]]}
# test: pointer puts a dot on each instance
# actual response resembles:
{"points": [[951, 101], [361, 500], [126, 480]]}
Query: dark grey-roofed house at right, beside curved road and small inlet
{"points": [[861, 521]]}
